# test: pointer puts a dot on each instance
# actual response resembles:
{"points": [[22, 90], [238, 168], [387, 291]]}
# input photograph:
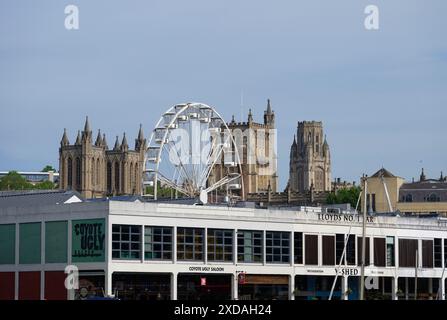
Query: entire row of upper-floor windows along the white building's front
{"points": [[190, 244]]}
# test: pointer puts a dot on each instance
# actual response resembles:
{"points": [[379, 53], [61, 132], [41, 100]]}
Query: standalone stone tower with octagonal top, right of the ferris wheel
{"points": [[310, 159]]}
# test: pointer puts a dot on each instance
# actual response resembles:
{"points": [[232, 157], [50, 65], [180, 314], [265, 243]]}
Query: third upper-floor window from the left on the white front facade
{"points": [[190, 244]]}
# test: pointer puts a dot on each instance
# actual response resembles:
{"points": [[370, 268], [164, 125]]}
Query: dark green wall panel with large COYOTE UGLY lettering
{"points": [[88, 240]]}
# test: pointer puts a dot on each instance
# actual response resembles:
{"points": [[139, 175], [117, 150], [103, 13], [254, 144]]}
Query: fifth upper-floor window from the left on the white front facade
{"points": [[249, 246]]}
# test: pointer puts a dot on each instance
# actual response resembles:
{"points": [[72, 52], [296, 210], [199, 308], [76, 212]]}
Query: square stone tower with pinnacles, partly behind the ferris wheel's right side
{"points": [[257, 149]]}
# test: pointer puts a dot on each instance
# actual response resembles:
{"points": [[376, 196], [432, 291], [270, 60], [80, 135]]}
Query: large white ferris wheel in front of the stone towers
{"points": [[192, 151]]}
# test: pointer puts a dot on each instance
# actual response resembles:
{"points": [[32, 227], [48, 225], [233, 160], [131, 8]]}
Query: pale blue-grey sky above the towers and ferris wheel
{"points": [[381, 94]]}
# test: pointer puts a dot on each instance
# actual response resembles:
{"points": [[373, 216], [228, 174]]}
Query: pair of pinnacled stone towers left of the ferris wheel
{"points": [[95, 171]]}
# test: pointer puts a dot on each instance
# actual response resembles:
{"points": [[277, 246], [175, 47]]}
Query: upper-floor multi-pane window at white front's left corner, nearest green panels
{"points": [[126, 242]]}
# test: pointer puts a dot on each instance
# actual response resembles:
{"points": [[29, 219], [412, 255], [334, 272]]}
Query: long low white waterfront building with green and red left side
{"points": [[134, 250]]}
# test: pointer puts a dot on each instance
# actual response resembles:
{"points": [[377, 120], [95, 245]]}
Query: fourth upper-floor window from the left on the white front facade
{"points": [[220, 245]]}
